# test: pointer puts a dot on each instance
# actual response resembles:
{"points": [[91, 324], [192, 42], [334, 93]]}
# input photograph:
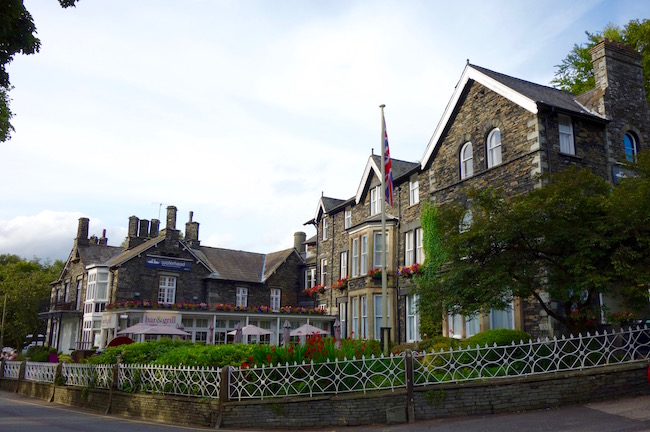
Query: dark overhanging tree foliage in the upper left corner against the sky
{"points": [[17, 36]]}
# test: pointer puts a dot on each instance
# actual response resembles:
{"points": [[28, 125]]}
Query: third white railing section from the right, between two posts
{"points": [[186, 381]]}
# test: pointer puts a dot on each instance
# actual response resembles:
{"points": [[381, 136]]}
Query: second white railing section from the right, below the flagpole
{"points": [[312, 379]]}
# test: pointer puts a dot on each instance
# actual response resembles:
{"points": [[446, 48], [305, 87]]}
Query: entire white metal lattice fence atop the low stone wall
{"points": [[362, 375]]}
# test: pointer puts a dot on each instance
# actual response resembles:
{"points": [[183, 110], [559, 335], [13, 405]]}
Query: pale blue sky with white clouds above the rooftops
{"points": [[244, 112]]}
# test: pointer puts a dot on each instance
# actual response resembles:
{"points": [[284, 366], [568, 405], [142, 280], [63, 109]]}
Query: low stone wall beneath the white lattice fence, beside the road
{"points": [[376, 407]]}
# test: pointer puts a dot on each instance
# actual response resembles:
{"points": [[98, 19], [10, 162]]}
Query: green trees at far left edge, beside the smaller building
{"points": [[26, 284]]}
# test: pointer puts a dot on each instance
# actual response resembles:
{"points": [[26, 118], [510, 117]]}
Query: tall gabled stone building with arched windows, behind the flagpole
{"points": [[496, 130]]}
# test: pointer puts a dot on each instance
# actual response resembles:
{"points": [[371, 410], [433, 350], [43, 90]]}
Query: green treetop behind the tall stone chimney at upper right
{"points": [[576, 74]]}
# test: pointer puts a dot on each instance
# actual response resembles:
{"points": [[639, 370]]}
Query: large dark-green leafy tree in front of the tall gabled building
{"points": [[572, 239]]}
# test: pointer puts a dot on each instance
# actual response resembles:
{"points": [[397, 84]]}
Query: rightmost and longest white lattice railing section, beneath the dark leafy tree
{"points": [[532, 357]]}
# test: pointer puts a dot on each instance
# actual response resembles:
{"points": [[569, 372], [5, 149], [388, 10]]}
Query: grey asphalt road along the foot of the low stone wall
{"points": [[19, 413]]}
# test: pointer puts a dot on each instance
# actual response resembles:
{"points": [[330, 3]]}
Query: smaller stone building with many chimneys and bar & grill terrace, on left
{"points": [[159, 278]]}
